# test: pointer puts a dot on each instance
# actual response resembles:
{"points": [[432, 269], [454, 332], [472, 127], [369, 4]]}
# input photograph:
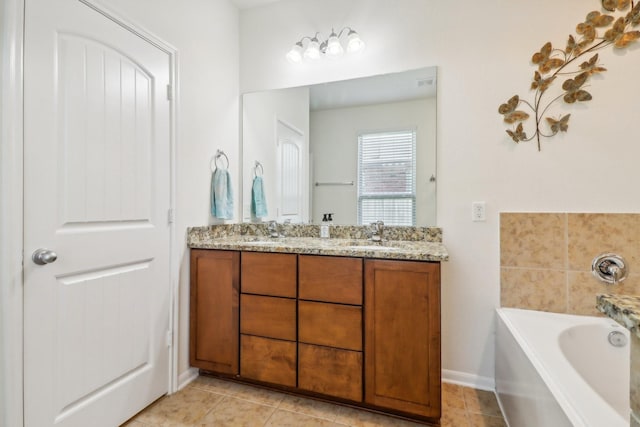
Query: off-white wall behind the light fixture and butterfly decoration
{"points": [[482, 50]]}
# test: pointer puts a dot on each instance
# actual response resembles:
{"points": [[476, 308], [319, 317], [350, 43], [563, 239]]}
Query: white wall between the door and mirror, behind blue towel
{"points": [[205, 33]]}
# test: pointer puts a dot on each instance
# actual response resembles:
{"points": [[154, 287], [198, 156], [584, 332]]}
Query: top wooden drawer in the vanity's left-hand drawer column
{"points": [[269, 274]]}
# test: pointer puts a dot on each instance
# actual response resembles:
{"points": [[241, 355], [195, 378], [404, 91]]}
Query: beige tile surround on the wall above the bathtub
{"points": [[545, 259]]}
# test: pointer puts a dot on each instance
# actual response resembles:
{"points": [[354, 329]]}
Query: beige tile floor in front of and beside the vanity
{"points": [[213, 402]]}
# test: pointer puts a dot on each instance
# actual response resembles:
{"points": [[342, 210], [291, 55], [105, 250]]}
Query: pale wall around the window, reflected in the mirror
{"points": [[334, 147]]}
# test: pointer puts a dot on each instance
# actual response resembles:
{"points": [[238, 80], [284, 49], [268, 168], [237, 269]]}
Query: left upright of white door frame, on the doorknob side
{"points": [[11, 219]]}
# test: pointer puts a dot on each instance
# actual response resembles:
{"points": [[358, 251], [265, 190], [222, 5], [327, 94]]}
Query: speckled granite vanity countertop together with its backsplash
{"points": [[254, 237]]}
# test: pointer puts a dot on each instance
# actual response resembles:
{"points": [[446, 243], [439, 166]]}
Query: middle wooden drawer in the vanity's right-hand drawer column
{"points": [[332, 325]]}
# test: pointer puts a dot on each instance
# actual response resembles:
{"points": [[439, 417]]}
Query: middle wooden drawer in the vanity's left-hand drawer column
{"points": [[271, 317]]}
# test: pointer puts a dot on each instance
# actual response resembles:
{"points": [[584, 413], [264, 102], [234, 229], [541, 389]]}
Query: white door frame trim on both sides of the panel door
{"points": [[12, 193]]}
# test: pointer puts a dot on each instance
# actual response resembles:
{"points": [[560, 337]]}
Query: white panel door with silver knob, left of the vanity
{"points": [[97, 192]]}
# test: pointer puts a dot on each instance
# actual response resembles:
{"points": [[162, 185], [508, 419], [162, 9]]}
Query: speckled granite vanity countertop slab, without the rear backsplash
{"points": [[417, 250]]}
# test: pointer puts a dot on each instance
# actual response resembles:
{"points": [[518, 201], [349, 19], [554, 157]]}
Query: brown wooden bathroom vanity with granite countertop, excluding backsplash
{"points": [[339, 319]]}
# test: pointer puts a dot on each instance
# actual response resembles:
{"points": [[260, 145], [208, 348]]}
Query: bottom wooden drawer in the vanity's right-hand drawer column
{"points": [[330, 371]]}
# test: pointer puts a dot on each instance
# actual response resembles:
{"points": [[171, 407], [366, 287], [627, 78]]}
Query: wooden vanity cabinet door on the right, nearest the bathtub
{"points": [[402, 336]]}
